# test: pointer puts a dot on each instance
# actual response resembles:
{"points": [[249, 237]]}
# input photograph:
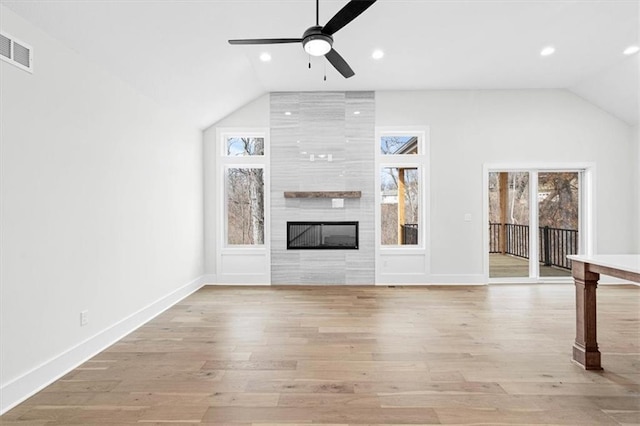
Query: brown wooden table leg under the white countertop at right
{"points": [[585, 348]]}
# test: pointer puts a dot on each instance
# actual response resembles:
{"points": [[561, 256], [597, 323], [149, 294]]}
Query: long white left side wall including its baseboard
{"points": [[101, 211]]}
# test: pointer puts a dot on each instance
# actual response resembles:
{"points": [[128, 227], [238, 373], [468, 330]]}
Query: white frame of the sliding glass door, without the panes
{"points": [[586, 219]]}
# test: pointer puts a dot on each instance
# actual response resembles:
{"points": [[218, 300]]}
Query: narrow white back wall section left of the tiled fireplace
{"points": [[254, 115]]}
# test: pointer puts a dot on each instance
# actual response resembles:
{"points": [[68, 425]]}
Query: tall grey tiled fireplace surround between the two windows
{"points": [[322, 141]]}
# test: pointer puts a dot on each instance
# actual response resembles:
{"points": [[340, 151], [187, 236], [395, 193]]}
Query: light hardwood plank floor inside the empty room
{"points": [[359, 355]]}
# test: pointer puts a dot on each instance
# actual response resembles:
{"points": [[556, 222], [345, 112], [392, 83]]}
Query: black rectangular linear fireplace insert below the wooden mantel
{"points": [[322, 235]]}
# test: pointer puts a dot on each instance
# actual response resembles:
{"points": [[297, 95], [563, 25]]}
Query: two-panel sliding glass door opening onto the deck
{"points": [[534, 222]]}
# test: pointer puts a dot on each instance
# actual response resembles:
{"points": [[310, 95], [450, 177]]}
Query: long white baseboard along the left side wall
{"points": [[21, 388]]}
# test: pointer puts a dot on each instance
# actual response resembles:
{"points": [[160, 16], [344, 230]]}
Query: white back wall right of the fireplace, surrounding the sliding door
{"points": [[471, 128]]}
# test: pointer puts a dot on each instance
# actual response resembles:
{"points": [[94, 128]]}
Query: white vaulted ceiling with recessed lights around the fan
{"points": [[176, 52]]}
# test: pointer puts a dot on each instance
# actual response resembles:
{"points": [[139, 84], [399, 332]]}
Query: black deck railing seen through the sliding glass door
{"points": [[554, 243]]}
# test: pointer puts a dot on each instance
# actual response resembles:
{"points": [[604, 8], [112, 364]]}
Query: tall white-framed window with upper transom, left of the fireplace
{"points": [[244, 180]]}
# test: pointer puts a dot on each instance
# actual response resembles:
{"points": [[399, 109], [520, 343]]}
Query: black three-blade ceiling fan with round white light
{"points": [[318, 40]]}
